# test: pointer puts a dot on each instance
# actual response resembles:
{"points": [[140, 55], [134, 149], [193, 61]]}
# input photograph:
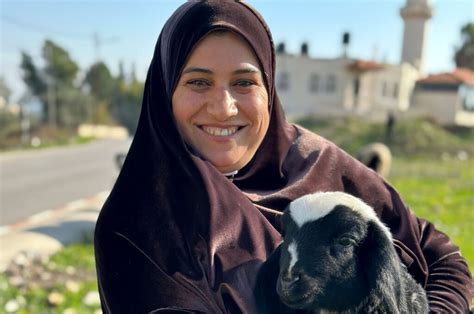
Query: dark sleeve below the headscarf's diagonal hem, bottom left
{"points": [[131, 282]]}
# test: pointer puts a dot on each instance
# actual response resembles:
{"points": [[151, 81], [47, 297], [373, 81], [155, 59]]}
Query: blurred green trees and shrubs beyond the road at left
{"points": [[66, 100]]}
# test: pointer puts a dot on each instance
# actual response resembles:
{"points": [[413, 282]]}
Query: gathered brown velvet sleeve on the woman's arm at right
{"points": [[431, 258]]}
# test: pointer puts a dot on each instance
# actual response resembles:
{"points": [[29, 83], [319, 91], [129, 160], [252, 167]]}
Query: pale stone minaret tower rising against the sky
{"points": [[415, 14]]}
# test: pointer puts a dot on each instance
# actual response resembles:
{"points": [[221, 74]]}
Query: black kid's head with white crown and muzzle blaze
{"points": [[323, 238]]}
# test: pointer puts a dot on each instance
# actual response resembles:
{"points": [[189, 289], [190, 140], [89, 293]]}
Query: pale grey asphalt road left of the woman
{"points": [[35, 181]]}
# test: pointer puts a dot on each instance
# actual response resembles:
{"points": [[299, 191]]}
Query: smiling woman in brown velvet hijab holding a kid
{"points": [[213, 163]]}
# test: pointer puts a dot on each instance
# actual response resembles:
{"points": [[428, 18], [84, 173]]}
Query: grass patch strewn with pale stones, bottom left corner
{"points": [[63, 283]]}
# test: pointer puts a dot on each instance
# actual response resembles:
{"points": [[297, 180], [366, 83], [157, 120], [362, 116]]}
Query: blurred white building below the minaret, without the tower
{"points": [[343, 86]]}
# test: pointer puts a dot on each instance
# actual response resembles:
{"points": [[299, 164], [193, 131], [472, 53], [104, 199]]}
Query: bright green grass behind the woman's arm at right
{"points": [[441, 191]]}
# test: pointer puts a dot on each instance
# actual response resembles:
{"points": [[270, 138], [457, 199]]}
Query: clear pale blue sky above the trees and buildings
{"points": [[127, 30]]}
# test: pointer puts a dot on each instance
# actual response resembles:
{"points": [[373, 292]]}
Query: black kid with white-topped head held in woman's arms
{"points": [[336, 257]]}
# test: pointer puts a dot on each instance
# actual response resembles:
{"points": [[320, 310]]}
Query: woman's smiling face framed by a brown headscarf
{"points": [[220, 103]]}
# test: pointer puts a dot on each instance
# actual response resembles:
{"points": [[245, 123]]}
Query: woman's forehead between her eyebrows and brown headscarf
{"points": [[222, 48]]}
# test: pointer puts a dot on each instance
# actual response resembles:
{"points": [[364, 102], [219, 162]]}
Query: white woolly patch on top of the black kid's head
{"points": [[312, 207]]}
